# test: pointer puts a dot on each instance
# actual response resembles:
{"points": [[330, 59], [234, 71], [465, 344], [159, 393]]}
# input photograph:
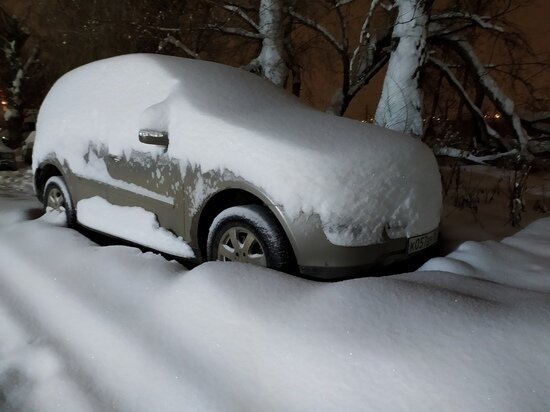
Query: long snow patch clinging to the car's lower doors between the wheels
{"points": [[134, 224]]}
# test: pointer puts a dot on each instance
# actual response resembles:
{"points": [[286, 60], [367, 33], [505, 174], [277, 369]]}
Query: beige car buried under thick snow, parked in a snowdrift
{"points": [[209, 162]]}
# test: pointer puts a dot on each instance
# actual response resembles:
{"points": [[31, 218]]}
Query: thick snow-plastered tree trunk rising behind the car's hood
{"points": [[401, 106]]}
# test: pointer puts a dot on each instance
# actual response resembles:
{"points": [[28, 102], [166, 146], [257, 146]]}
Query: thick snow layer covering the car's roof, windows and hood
{"points": [[358, 178]]}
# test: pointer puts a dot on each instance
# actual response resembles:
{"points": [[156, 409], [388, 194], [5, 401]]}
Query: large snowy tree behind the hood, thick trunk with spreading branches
{"points": [[418, 39]]}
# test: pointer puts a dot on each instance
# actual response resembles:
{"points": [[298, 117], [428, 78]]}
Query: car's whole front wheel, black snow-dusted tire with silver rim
{"points": [[249, 234]]}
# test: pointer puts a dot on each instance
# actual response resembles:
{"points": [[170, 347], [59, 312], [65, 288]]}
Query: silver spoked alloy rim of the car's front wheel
{"points": [[239, 244]]}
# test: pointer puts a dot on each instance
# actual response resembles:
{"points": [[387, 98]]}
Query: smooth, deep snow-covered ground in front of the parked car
{"points": [[90, 328]]}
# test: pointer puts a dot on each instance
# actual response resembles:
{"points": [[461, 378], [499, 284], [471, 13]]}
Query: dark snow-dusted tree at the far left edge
{"points": [[17, 63]]}
